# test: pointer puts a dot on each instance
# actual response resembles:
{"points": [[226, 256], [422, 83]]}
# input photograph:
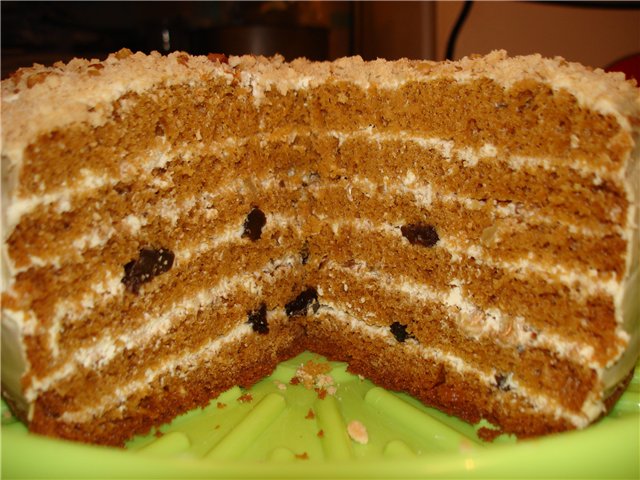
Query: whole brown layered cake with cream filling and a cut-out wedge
{"points": [[466, 232]]}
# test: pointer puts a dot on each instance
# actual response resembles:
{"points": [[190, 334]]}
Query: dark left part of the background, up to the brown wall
{"points": [[45, 32]]}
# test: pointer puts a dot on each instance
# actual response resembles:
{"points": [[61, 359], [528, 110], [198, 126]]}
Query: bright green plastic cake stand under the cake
{"points": [[284, 429]]}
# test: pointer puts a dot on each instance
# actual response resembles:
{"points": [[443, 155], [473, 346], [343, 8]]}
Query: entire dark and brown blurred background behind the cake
{"points": [[600, 34]]}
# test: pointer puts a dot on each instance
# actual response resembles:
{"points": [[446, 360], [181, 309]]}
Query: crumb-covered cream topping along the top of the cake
{"points": [[85, 89]]}
